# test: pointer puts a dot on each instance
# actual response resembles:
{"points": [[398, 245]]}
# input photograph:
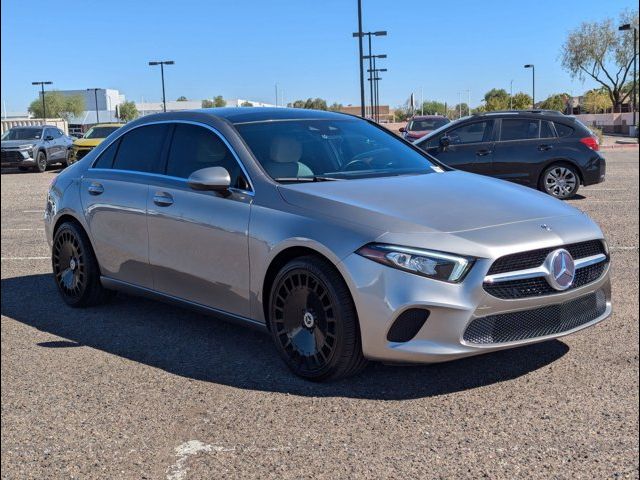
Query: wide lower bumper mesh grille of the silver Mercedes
{"points": [[539, 322]]}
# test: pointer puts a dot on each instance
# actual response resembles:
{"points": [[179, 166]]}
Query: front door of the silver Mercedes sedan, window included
{"points": [[198, 240]]}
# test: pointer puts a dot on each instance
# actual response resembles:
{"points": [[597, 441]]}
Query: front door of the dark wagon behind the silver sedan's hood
{"points": [[470, 148]]}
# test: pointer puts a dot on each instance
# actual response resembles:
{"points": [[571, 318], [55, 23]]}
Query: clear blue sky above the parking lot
{"points": [[241, 49]]}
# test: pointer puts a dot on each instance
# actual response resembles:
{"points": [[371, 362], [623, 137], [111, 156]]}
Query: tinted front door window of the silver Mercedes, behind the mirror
{"points": [[193, 148]]}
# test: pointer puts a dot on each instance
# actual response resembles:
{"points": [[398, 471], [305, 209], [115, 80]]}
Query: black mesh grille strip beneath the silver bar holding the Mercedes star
{"points": [[535, 287]]}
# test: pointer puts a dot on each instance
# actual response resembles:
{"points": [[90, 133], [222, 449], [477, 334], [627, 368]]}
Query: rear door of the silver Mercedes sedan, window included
{"points": [[114, 199]]}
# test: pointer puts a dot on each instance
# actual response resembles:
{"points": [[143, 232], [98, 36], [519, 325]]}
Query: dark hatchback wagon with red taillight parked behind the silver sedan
{"points": [[540, 149]]}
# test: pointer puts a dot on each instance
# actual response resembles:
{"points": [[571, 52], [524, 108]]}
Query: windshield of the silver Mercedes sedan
{"points": [[304, 150]]}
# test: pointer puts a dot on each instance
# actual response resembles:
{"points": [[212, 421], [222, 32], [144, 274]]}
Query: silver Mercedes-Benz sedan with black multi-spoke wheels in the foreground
{"points": [[342, 240]]}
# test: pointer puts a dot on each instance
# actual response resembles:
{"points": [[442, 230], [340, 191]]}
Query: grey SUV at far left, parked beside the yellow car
{"points": [[35, 147]]}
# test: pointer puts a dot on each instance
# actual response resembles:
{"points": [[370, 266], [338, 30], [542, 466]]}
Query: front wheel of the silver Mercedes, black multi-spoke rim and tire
{"points": [[313, 321]]}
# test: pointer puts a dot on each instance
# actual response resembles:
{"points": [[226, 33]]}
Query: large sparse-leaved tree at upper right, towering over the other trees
{"points": [[599, 51]]}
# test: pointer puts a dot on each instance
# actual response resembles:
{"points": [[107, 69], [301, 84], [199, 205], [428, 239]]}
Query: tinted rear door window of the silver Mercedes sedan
{"points": [[141, 148]]}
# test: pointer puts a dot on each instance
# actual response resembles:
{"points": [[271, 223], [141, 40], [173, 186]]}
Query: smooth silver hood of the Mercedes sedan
{"points": [[448, 202]]}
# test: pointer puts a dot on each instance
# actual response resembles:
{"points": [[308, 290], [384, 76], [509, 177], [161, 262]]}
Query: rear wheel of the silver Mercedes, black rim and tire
{"points": [[75, 268]]}
